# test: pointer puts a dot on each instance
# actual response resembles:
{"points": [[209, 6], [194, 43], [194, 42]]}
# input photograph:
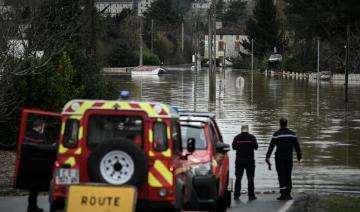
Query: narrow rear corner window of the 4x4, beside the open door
{"points": [[71, 133]]}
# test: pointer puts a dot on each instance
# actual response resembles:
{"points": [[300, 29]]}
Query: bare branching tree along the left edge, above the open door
{"points": [[32, 34]]}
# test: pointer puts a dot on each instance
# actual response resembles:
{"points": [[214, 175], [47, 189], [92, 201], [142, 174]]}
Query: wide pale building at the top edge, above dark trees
{"points": [[113, 7]]}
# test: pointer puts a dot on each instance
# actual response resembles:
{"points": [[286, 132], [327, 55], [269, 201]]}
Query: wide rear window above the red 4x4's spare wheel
{"points": [[102, 128]]}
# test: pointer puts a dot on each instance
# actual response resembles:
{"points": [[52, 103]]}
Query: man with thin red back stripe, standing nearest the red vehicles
{"points": [[244, 144]]}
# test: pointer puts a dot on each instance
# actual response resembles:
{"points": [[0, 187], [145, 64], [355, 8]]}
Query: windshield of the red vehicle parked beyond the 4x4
{"points": [[194, 132]]}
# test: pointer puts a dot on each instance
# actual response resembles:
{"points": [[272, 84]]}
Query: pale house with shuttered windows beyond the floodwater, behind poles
{"points": [[228, 44]]}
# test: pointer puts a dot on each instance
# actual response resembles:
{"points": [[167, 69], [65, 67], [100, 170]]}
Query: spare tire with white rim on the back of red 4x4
{"points": [[118, 162]]}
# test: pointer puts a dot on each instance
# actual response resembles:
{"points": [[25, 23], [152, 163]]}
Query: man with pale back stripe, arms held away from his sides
{"points": [[285, 141]]}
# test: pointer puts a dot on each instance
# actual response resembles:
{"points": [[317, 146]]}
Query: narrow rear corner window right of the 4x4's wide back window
{"points": [[160, 141]]}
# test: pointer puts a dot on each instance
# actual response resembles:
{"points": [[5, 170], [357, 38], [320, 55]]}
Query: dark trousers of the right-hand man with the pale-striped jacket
{"points": [[284, 168]]}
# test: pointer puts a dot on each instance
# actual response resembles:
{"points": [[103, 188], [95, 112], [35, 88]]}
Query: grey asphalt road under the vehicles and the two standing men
{"points": [[264, 203]]}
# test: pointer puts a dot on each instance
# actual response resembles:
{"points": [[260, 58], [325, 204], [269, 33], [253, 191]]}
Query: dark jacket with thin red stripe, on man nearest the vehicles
{"points": [[244, 144]]}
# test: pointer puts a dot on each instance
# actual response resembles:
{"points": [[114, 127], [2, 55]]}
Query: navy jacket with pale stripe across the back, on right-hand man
{"points": [[285, 141]]}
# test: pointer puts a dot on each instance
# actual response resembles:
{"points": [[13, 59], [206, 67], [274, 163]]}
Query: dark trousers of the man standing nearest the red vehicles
{"points": [[240, 166]]}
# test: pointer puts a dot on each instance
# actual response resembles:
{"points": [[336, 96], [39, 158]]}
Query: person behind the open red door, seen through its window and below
{"points": [[35, 135]]}
